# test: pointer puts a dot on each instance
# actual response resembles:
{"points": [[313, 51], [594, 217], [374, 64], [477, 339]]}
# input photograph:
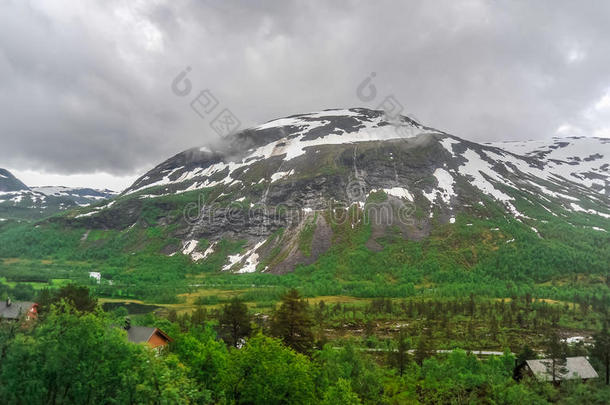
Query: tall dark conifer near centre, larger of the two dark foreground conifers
{"points": [[292, 322]]}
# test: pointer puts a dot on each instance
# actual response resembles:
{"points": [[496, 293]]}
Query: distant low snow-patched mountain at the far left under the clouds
{"points": [[20, 202]]}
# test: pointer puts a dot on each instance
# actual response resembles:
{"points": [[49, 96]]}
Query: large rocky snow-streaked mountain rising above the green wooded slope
{"points": [[282, 194]]}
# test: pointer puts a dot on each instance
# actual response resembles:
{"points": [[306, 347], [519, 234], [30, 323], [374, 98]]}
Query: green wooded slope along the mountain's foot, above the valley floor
{"points": [[498, 257]]}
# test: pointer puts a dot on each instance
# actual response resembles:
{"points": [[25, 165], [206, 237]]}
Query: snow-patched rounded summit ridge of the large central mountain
{"points": [[284, 138]]}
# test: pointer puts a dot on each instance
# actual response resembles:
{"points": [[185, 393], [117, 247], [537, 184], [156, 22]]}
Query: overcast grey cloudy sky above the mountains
{"points": [[85, 86]]}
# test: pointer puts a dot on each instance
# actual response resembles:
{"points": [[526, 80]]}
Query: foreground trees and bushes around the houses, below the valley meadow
{"points": [[76, 353]]}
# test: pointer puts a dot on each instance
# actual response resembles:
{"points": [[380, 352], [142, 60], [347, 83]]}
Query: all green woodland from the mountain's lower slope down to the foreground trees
{"points": [[449, 319]]}
